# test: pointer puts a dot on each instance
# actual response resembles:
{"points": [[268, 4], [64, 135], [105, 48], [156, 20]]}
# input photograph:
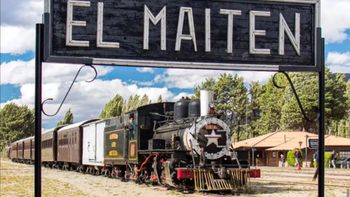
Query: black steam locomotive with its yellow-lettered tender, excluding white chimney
{"points": [[171, 144]]}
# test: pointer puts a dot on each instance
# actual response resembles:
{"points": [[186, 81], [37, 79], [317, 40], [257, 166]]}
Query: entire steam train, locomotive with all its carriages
{"points": [[185, 145]]}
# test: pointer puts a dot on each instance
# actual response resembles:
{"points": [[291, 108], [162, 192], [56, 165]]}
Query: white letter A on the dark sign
{"points": [[180, 36]]}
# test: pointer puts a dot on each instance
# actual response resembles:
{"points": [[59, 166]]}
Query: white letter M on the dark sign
{"points": [[148, 16]]}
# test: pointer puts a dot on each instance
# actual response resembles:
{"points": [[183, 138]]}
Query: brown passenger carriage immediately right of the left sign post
{"points": [[49, 146]]}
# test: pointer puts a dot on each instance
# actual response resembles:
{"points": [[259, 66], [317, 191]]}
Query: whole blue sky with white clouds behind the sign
{"points": [[18, 20]]}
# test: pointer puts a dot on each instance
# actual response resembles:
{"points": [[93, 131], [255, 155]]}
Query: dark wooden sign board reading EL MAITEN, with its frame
{"points": [[217, 34]]}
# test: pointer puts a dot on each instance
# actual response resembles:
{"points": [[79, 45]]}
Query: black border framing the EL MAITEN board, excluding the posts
{"points": [[50, 56]]}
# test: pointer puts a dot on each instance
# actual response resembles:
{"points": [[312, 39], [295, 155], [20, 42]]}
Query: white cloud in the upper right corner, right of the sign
{"points": [[335, 18]]}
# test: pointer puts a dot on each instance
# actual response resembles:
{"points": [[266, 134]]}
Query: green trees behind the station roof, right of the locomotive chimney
{"points": [[254, 109]]}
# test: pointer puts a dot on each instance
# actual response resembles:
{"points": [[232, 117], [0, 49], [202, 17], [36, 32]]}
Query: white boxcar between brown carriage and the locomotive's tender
{"points": [[93, 143]]}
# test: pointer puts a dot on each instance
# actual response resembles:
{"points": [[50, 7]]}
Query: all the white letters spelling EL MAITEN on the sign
{"points": [[161, 18]]}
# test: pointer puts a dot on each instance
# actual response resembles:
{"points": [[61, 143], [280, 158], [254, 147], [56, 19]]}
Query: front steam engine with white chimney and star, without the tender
{"points": [[193, 151]]}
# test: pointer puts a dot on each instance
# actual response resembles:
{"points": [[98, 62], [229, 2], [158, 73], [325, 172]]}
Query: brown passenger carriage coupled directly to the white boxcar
{"points": [[69, 148]]}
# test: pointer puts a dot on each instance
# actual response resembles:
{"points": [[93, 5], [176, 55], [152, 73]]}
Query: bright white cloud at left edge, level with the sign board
{"points": [[17, 39]]}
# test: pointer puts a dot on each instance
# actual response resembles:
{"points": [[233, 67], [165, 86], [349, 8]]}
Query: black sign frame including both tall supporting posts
{"points": [[43, 54]]}
